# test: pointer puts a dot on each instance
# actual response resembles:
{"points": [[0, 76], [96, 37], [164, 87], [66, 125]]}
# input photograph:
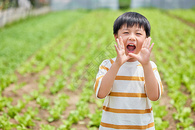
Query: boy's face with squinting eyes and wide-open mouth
{"points": [[133, 38]]}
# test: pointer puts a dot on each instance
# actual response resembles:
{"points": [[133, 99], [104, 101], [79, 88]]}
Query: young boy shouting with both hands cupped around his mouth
{"points": [[129, 81]]}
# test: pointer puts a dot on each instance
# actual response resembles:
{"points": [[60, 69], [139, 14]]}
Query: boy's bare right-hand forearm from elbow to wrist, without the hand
{"points": [[151, 83]]}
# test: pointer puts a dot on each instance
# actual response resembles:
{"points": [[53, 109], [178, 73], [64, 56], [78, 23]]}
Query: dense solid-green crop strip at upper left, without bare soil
{"points": [[21, 39]]}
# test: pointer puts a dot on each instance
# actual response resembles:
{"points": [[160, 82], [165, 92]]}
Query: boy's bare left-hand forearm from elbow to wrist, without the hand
{"points": [[108, 80]]}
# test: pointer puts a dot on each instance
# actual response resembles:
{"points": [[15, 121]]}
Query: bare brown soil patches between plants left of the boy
{"points": [[31, 83]]}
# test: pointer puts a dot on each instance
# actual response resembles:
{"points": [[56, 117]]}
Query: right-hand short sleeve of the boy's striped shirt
{"points": [[157, 75]]}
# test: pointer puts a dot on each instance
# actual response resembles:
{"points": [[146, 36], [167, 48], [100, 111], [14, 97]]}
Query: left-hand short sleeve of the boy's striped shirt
{"points": [[103, 69]]}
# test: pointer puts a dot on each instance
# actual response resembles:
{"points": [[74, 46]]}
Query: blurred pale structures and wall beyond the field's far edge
{"points": [[15, 9]]}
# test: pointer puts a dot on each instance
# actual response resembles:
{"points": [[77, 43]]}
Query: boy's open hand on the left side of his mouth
{"points": [[120, 49]]}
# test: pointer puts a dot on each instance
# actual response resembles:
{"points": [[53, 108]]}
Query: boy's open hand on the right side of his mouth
{"points": [[144, 55]]}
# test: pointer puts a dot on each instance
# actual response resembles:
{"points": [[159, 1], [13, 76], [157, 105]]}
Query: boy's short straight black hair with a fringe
{"points": [[131, 19]]}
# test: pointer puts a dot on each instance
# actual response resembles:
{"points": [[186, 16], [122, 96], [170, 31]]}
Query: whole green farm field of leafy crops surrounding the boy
{"points": [[48, 82]]}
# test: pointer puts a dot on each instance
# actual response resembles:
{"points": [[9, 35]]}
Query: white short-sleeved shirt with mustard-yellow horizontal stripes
{"points": [[127, 105]]}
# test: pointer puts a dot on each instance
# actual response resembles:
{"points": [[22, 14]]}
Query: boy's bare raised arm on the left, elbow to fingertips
{"points": [[109, 77]]}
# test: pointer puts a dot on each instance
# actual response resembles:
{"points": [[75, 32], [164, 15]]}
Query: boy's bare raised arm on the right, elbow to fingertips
{"points": [[151, 84]]}
